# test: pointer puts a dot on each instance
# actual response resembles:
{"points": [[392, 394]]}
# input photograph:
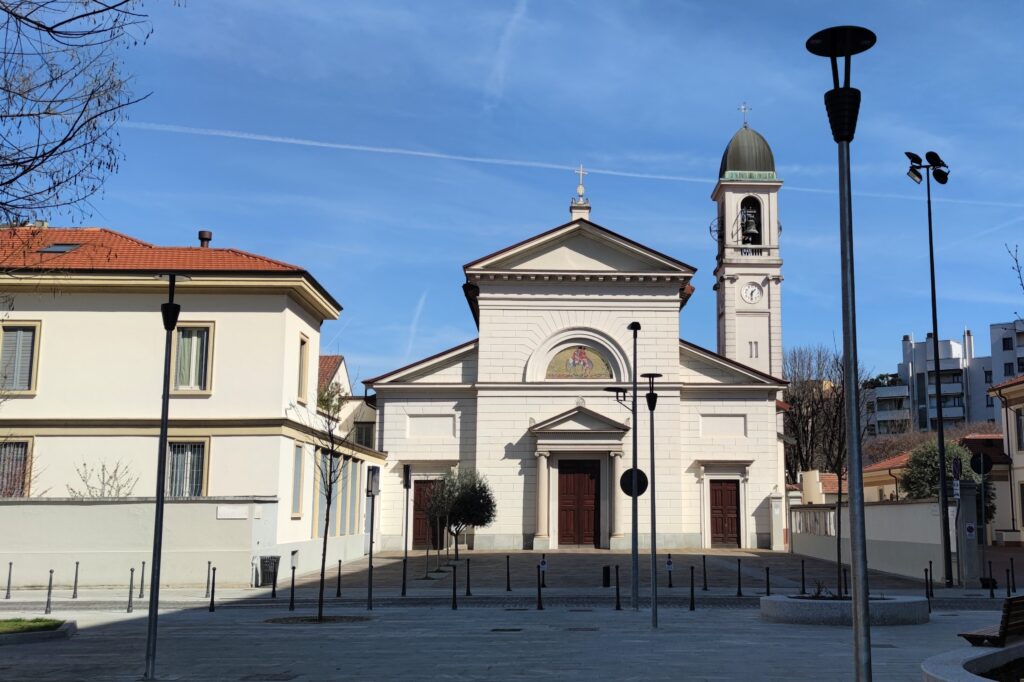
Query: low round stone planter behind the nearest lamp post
{"points": [[891, 611]]}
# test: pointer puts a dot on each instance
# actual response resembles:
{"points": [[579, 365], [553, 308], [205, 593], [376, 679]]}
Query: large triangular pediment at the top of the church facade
{"points": [[580, 247]]}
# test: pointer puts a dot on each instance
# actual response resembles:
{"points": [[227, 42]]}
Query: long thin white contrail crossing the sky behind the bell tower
{"points": [[496, 161]]}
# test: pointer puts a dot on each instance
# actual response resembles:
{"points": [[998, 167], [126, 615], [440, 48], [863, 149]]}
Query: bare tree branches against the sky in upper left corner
{"points": [[64, 93]]}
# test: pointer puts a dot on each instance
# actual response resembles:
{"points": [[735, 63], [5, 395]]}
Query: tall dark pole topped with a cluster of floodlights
{"points": [[940, 169]]}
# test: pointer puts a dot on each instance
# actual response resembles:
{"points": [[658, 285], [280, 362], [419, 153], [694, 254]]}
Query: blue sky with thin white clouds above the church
{"points": [[309, 109]]}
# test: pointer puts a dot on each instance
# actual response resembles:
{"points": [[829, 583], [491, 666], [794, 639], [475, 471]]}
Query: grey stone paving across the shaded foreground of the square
{"points": [[480, 645]]}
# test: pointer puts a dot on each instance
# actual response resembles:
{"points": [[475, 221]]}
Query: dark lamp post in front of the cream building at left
{"points": [[169, 312]]}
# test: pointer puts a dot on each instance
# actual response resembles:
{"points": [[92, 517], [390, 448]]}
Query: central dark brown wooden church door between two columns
{"points": [[579, 502]]}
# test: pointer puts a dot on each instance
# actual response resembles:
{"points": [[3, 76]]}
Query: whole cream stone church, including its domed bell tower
{"points": [[526, 405]]}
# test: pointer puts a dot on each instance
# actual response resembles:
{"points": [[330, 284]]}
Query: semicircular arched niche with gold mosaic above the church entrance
{"points": [[578, 355]]}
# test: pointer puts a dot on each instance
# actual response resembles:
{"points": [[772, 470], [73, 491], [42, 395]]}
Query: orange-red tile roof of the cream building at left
{"points": [[101, 249]]}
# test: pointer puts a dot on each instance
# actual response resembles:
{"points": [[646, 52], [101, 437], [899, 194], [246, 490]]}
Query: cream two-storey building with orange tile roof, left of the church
{"points": [[81, 381]]}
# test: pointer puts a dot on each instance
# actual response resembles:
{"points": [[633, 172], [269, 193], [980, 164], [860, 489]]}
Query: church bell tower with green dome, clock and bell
{"points": [[749, 267]]}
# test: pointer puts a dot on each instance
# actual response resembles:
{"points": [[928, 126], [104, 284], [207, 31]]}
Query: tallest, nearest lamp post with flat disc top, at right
{"points": [[843, 105]]}
